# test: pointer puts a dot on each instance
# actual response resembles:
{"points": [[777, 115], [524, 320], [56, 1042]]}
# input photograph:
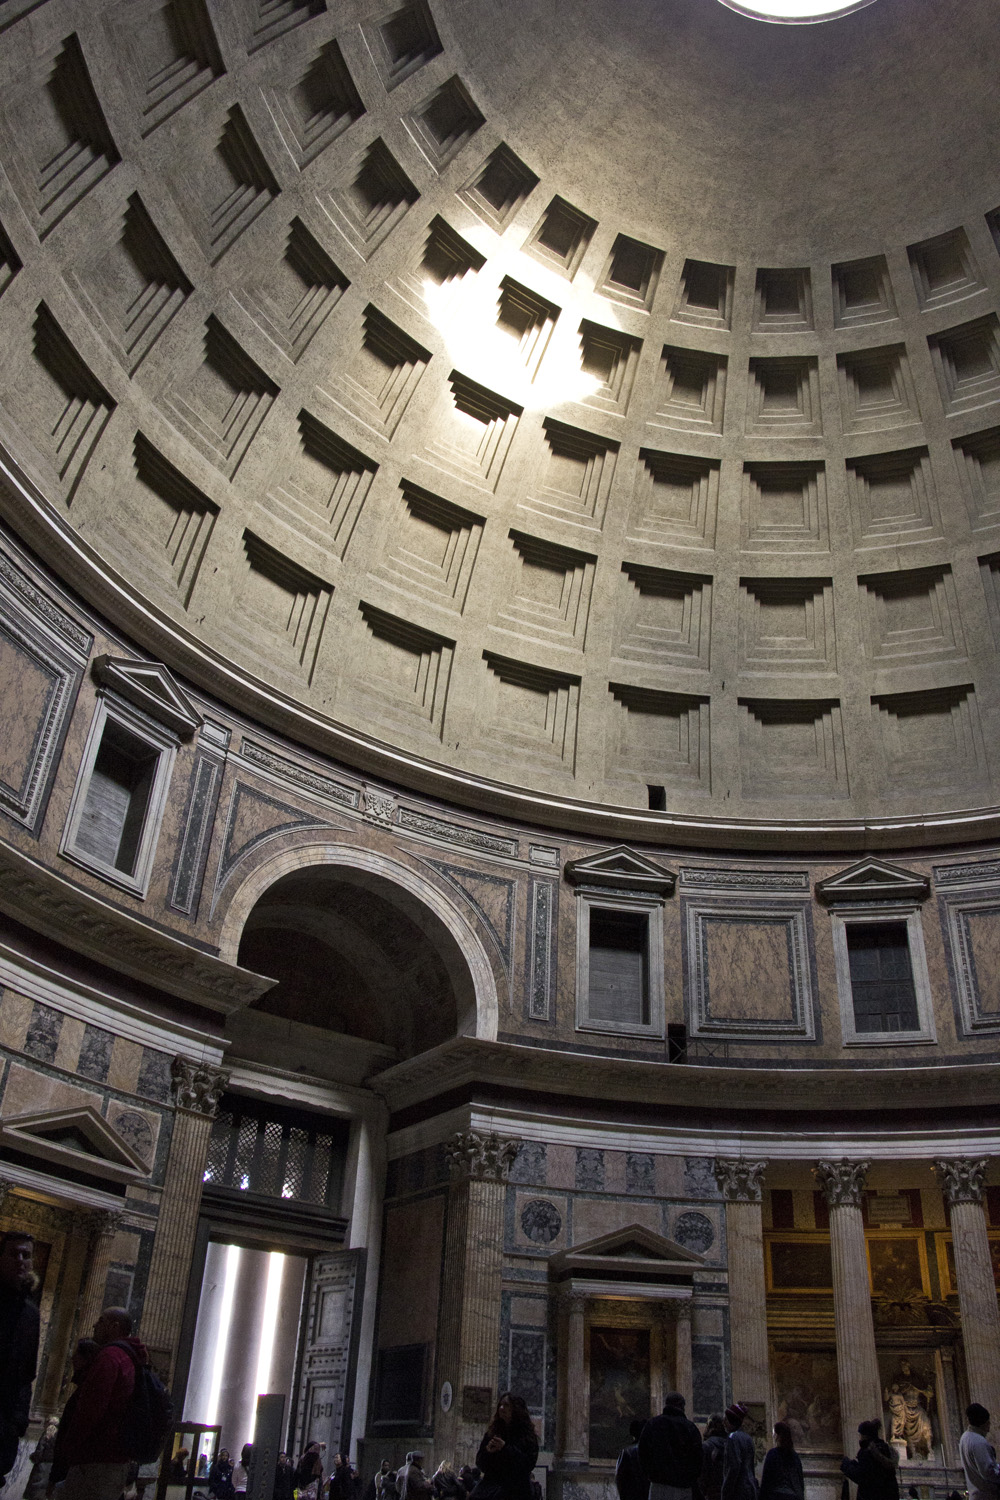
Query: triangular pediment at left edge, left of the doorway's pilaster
{"points": [[74, 1142]]}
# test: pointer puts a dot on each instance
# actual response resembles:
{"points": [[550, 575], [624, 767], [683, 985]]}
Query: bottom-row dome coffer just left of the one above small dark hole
{"points": [[530, 712]]}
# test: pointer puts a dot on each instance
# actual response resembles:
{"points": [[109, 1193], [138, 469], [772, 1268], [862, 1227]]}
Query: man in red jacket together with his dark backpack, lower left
{"points": [[113, 1415]]}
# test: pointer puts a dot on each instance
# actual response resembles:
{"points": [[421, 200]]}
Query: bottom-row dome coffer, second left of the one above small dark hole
{"points": [[404, 671]]}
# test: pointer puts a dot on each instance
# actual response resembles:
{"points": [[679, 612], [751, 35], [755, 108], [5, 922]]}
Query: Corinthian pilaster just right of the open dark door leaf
{"points": [[475, 1256]]}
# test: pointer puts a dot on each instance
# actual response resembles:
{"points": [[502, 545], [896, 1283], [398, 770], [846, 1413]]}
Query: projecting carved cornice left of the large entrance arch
{"points": [[83, 922]]}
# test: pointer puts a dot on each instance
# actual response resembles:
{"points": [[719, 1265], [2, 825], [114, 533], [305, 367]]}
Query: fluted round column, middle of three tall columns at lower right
{"points": [[857, 1364]]}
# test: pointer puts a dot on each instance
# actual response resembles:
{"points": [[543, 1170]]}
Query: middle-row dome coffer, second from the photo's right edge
{"points": [[893, 497]]}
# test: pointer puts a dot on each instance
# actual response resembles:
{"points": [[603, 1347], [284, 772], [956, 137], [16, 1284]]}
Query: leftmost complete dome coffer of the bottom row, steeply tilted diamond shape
{"points": [[56, 400]]}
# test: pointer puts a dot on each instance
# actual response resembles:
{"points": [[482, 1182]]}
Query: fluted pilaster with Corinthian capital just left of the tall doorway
{"points": [[197, 1093]]}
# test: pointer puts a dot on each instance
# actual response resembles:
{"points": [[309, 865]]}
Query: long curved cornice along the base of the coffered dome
{"points": [[44, 529]]}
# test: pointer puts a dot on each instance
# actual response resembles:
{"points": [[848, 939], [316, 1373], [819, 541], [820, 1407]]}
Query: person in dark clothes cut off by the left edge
{"points": [[19, 1343]]}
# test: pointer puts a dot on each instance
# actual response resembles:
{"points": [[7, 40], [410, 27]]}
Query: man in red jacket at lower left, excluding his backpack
{"points": [[94, 1445]]}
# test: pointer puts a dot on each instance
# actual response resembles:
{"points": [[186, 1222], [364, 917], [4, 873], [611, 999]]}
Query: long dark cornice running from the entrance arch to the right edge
{"points": [[473, 1061]]}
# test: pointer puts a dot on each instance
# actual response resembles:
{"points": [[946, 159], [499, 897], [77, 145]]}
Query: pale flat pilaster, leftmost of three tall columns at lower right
{"points": [[740, 1181]]}
